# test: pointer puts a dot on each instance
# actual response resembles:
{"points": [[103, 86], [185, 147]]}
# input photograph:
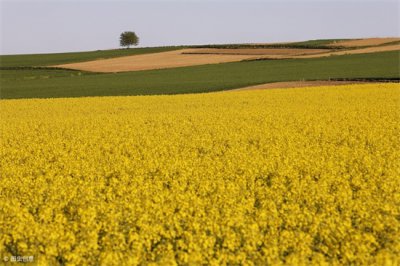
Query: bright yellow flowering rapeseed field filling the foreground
{"points": [[287, 176]]}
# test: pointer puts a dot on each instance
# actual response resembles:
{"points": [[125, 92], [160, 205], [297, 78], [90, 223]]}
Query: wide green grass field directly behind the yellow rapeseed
{"points": [[61, 83]]}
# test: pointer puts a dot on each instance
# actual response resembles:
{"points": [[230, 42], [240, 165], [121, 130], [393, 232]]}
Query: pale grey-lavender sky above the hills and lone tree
{"points": [[33, 26]]}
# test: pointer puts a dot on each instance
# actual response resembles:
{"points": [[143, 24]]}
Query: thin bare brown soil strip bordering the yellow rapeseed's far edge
{"points": [[298, 84]]}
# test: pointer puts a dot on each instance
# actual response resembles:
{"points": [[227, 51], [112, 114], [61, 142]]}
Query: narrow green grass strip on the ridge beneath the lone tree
{"points": [[9, 61]]}
